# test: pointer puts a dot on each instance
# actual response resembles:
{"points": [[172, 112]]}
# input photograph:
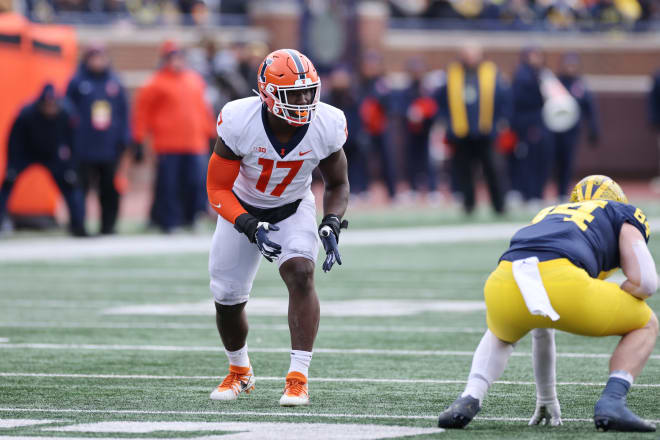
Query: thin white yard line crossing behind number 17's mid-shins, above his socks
{"points": [[270, 327]]}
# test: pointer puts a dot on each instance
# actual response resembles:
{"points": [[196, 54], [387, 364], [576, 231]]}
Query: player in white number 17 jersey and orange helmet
{"points": [[259, 182]]}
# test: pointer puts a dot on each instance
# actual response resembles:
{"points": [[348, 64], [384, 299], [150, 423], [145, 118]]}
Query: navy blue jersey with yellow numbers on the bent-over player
{"points": [[586, 233]]}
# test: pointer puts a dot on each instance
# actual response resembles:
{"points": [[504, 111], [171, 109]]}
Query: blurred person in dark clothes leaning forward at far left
{"points": [[43, 133]]}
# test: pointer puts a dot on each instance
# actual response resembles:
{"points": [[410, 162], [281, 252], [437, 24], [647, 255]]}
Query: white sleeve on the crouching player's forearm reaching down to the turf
{"points": [[544, 360]]}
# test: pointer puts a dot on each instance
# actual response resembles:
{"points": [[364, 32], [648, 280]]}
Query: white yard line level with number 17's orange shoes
{"points": [[312, 379]]}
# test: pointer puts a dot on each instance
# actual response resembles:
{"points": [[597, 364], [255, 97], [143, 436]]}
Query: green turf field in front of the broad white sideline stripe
{"points": [[67, 327]]}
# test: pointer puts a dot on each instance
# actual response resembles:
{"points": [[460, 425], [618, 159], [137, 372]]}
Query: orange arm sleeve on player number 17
{"points": [[219, 183]]}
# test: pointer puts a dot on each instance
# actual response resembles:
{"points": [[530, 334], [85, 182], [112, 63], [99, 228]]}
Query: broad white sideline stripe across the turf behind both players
{"points": [[63, 248]]}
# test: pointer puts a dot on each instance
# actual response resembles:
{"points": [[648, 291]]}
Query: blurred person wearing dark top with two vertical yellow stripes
{"points": [[474, 102]]}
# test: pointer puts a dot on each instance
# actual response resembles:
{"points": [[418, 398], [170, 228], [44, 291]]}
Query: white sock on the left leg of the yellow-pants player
{"points": [[488, 364]]}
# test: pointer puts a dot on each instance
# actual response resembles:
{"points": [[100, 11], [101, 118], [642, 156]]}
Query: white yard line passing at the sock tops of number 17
{"points": [[369, 351]]}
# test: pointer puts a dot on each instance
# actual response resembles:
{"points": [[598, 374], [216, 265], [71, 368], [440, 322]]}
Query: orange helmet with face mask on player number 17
{"points": [[285, 71]]}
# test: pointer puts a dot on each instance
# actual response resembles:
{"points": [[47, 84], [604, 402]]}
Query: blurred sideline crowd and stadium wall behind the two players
{"points": [[112, 103]]}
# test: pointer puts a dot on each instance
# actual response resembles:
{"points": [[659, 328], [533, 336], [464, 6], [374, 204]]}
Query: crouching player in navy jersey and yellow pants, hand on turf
{"points": [[551, 278]]}
